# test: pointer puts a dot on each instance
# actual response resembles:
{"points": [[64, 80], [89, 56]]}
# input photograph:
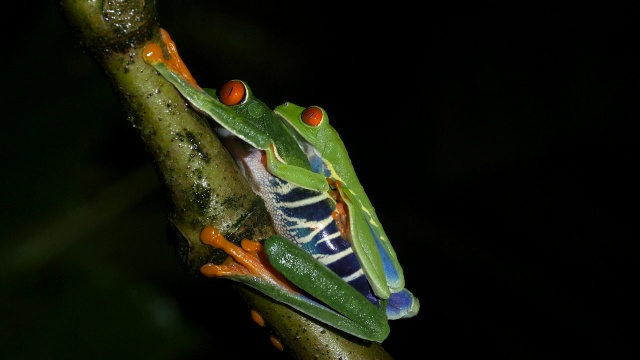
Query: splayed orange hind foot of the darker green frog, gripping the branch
{"points": [[248, 260]]}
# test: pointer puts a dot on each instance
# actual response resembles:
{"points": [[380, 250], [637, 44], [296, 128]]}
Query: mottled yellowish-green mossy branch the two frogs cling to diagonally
{"points": [[202, 183]]}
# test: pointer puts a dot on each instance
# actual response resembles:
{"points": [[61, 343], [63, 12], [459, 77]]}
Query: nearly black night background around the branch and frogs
{"points": [[497, 144]]}
